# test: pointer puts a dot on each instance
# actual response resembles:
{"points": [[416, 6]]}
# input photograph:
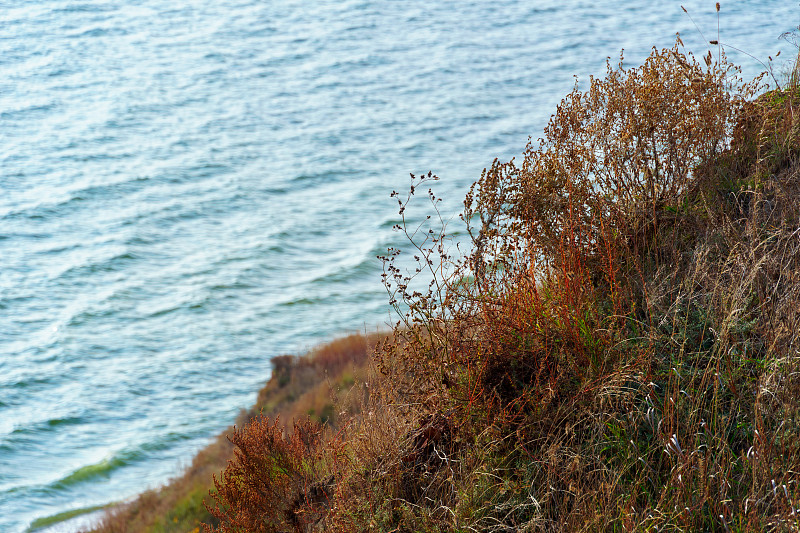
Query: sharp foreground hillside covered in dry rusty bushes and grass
{"points": [[617, 351]]}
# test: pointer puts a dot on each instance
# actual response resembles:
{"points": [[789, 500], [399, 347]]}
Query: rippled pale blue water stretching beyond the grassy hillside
{"points": [[189, 188]]}
